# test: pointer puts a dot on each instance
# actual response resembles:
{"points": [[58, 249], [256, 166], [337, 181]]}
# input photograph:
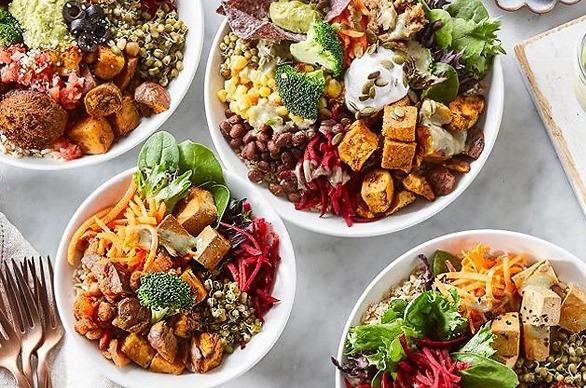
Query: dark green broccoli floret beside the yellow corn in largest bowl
{"points": [[300, 92]]}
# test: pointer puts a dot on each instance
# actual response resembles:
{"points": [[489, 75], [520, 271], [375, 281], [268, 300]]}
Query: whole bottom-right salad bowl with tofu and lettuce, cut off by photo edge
{"points": [[484, 308]]}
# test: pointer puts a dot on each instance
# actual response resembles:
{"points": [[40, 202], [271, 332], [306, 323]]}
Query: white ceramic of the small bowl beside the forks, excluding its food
{"points": [[235, 364]]}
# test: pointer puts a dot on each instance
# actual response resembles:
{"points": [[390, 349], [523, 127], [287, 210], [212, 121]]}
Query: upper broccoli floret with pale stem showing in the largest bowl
{"points": [[322, 47]]}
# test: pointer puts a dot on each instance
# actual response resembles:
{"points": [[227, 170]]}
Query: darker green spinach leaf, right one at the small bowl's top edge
{"points": [[201, 161]]}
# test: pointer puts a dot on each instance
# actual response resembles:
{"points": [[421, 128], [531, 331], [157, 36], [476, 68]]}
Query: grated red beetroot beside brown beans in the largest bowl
{"points": [[325, 189]]}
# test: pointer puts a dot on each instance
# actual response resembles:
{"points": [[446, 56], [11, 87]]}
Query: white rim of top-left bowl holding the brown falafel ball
{"points": [[93, 160]]}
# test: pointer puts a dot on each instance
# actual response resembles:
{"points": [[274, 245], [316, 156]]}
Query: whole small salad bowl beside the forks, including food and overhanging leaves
{"points": [[175, 273]]}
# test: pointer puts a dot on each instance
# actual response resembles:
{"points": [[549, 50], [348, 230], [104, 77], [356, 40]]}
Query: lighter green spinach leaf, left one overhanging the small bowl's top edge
{"points": [[159, 149]]}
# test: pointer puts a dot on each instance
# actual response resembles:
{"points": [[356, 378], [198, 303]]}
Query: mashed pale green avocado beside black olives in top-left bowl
{"points": [[42, 22]]}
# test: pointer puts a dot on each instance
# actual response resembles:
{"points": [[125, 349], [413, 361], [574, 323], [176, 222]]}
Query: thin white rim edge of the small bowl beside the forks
{"points": [[289, 288]]}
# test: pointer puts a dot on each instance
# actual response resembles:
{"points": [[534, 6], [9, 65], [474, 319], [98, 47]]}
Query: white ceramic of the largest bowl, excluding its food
{"points": [[335, 226]]}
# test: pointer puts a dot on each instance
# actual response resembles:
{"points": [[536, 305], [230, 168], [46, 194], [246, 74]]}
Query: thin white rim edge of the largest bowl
{"points": [[358, 230]]}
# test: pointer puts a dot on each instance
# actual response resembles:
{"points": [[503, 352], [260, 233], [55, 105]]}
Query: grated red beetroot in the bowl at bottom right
{"points": [[428, 367]]}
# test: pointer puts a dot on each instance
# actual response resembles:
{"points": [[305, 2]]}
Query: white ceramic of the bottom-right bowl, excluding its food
{"points": [[567, 266]]}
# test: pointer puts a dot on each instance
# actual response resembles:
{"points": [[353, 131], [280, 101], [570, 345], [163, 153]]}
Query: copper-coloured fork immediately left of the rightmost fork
{"points": [[25, 316]]}
